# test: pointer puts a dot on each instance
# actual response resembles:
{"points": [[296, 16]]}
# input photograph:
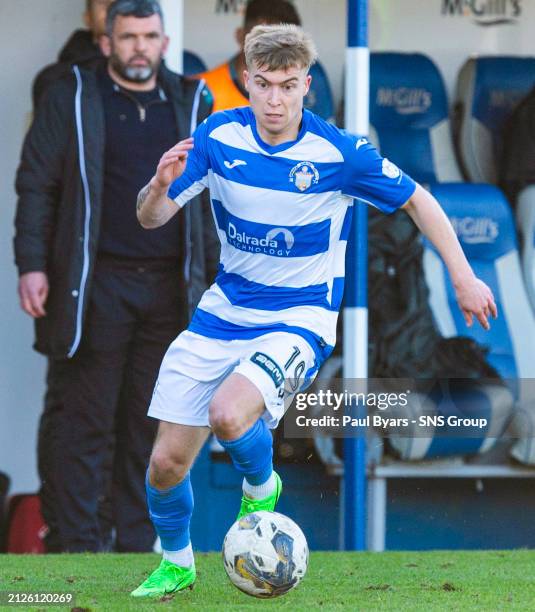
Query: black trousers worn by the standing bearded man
{"points": [[95, 437]]}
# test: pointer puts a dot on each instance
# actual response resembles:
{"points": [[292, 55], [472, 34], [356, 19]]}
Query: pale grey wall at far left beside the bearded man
{"points": [[31, 32]]}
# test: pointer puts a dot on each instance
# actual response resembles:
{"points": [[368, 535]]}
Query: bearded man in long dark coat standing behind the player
{"points": [[106, 296]]}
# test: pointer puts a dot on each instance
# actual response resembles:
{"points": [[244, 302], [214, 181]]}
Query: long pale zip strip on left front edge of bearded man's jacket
{"points": [[87, 219]]}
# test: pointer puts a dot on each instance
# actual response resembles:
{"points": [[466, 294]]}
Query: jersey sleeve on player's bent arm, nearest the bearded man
{"points": [[195, 177]]}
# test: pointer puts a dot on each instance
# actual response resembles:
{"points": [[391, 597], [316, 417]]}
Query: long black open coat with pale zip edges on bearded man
{"points": [[59, 184]]}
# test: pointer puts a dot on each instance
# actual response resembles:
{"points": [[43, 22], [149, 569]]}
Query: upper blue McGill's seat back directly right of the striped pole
{"points": [[409, 116]]}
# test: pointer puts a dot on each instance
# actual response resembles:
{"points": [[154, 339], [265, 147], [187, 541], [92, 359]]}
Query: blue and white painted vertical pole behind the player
{"points": [[357, 86]]}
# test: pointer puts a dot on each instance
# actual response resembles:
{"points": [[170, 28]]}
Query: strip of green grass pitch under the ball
{"points": [[494, 580]]}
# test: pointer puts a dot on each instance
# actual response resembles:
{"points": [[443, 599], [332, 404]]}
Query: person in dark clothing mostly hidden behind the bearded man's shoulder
{"points": [[82, 49]]}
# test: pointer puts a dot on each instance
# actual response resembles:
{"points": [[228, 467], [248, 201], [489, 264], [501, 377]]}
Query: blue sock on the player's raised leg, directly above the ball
{"points": [[252, 453]]}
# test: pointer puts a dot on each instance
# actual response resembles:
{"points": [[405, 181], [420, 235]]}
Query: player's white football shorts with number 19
{"points": [[279, 364]]}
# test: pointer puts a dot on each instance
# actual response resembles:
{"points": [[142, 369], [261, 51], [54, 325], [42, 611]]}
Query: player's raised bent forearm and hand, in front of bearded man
{"points": [[154, 207]]}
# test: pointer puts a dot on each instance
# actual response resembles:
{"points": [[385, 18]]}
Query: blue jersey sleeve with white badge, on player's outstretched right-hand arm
{"points": [[374, 179]]}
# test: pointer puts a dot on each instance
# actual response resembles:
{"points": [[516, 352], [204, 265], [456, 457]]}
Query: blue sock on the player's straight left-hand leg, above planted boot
{"points": [[170, 511]]}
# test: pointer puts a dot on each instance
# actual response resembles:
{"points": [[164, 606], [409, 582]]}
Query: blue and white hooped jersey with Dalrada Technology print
{"points": [[283, 215]]}
